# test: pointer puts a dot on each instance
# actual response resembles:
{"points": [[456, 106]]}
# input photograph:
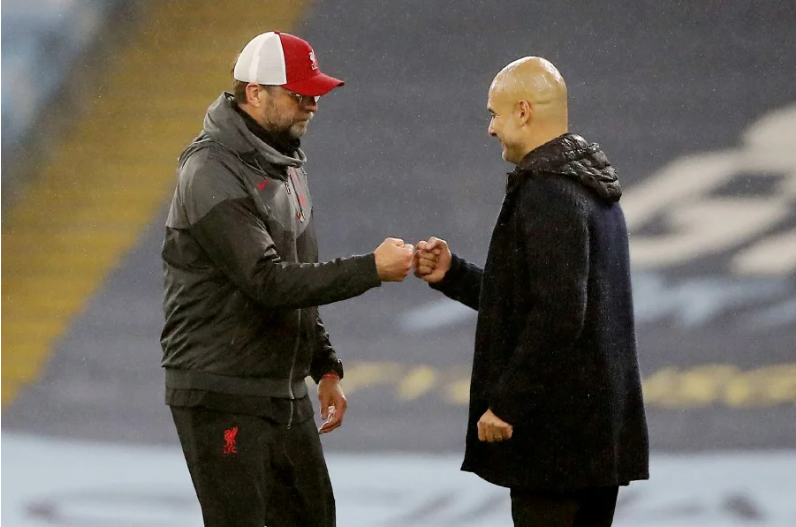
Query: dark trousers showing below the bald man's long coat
{"points": [[580, 508]]}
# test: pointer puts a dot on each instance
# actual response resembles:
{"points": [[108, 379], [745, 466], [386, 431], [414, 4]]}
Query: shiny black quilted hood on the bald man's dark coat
{"points": [[571, 156]]}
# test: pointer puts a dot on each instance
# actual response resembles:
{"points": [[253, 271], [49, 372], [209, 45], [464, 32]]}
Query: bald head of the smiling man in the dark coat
{"points": [[528, 103]]}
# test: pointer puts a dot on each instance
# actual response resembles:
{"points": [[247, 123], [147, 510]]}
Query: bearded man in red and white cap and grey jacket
{"points": [[243, 282]]}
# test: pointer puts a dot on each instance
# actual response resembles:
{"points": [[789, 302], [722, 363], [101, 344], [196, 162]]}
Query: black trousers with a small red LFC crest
{"points": [[249, 471]]}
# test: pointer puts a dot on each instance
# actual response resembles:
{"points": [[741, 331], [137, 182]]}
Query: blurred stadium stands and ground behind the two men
{"points": [[694, 102]]}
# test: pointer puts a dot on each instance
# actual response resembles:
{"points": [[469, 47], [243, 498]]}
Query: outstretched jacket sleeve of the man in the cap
{"points": [[224, 222]]}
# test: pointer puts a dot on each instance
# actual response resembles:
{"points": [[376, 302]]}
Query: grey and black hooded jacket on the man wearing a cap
{"points": [[242, 282]]}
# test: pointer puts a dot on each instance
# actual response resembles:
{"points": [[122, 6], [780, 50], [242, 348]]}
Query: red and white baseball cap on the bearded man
{"points": [[280, 59]]}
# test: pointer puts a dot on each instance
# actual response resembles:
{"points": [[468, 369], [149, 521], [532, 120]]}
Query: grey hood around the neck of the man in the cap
{"points": [[223, 125]]}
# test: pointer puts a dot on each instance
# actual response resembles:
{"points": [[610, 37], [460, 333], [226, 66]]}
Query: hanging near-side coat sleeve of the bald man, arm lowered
{"points": [[554, 237]]}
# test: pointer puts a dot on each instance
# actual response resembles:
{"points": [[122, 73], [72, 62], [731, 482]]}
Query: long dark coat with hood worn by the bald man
{"points": [[555, 347]]}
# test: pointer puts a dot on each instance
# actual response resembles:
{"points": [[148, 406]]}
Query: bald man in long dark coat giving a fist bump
{"points": [[556, 410]]}
